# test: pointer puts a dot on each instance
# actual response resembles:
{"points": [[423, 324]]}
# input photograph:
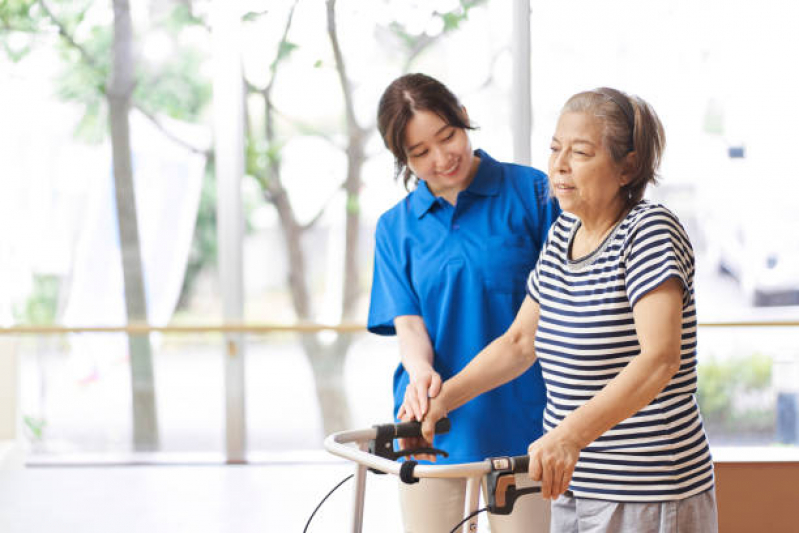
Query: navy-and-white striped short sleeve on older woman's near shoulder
{"points": [[658, 249]]}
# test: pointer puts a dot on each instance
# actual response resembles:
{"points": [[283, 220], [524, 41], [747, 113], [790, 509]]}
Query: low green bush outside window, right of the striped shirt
{"points": [[721, 382]]}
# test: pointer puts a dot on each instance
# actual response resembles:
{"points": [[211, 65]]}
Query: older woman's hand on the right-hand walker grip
{"points": [[552, 461]]}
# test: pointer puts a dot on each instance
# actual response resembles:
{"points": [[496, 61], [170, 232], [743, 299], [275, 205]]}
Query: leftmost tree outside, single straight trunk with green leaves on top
{"points": [[94, 78]]}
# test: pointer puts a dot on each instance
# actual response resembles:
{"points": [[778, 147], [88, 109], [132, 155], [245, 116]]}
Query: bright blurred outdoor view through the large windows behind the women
{"points": [[722, 77]]}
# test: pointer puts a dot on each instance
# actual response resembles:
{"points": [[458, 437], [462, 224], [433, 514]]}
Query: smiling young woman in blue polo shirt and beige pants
{"points": [[451, 260]]}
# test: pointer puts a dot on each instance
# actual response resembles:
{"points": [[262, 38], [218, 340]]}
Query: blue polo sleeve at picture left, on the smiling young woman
{"points": [[392, 291]]}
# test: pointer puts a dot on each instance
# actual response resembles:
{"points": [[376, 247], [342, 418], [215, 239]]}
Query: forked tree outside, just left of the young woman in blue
{"points": [[327, 361]]}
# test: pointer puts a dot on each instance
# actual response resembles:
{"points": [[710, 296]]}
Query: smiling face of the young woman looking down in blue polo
{"points": [[439, 154]]}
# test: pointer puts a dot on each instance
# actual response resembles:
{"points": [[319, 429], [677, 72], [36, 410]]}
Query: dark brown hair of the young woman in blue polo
{"points": [[402, 98]]}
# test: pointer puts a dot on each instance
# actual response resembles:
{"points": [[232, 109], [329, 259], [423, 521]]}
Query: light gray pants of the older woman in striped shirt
{"points": [[696, 514]]}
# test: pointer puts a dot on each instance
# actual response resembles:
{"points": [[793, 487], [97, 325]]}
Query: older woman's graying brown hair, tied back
{"points": [[630, 125]]}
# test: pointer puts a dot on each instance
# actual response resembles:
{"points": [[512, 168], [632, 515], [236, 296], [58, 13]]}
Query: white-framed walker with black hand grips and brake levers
{"points": [[374, 450]]}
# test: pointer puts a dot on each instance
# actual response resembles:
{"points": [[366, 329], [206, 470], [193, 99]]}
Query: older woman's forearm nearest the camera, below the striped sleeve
{"points": [[629, 392]]}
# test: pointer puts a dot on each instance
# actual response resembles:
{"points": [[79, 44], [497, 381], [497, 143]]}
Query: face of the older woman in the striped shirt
{"points": [[582, 173]]}
